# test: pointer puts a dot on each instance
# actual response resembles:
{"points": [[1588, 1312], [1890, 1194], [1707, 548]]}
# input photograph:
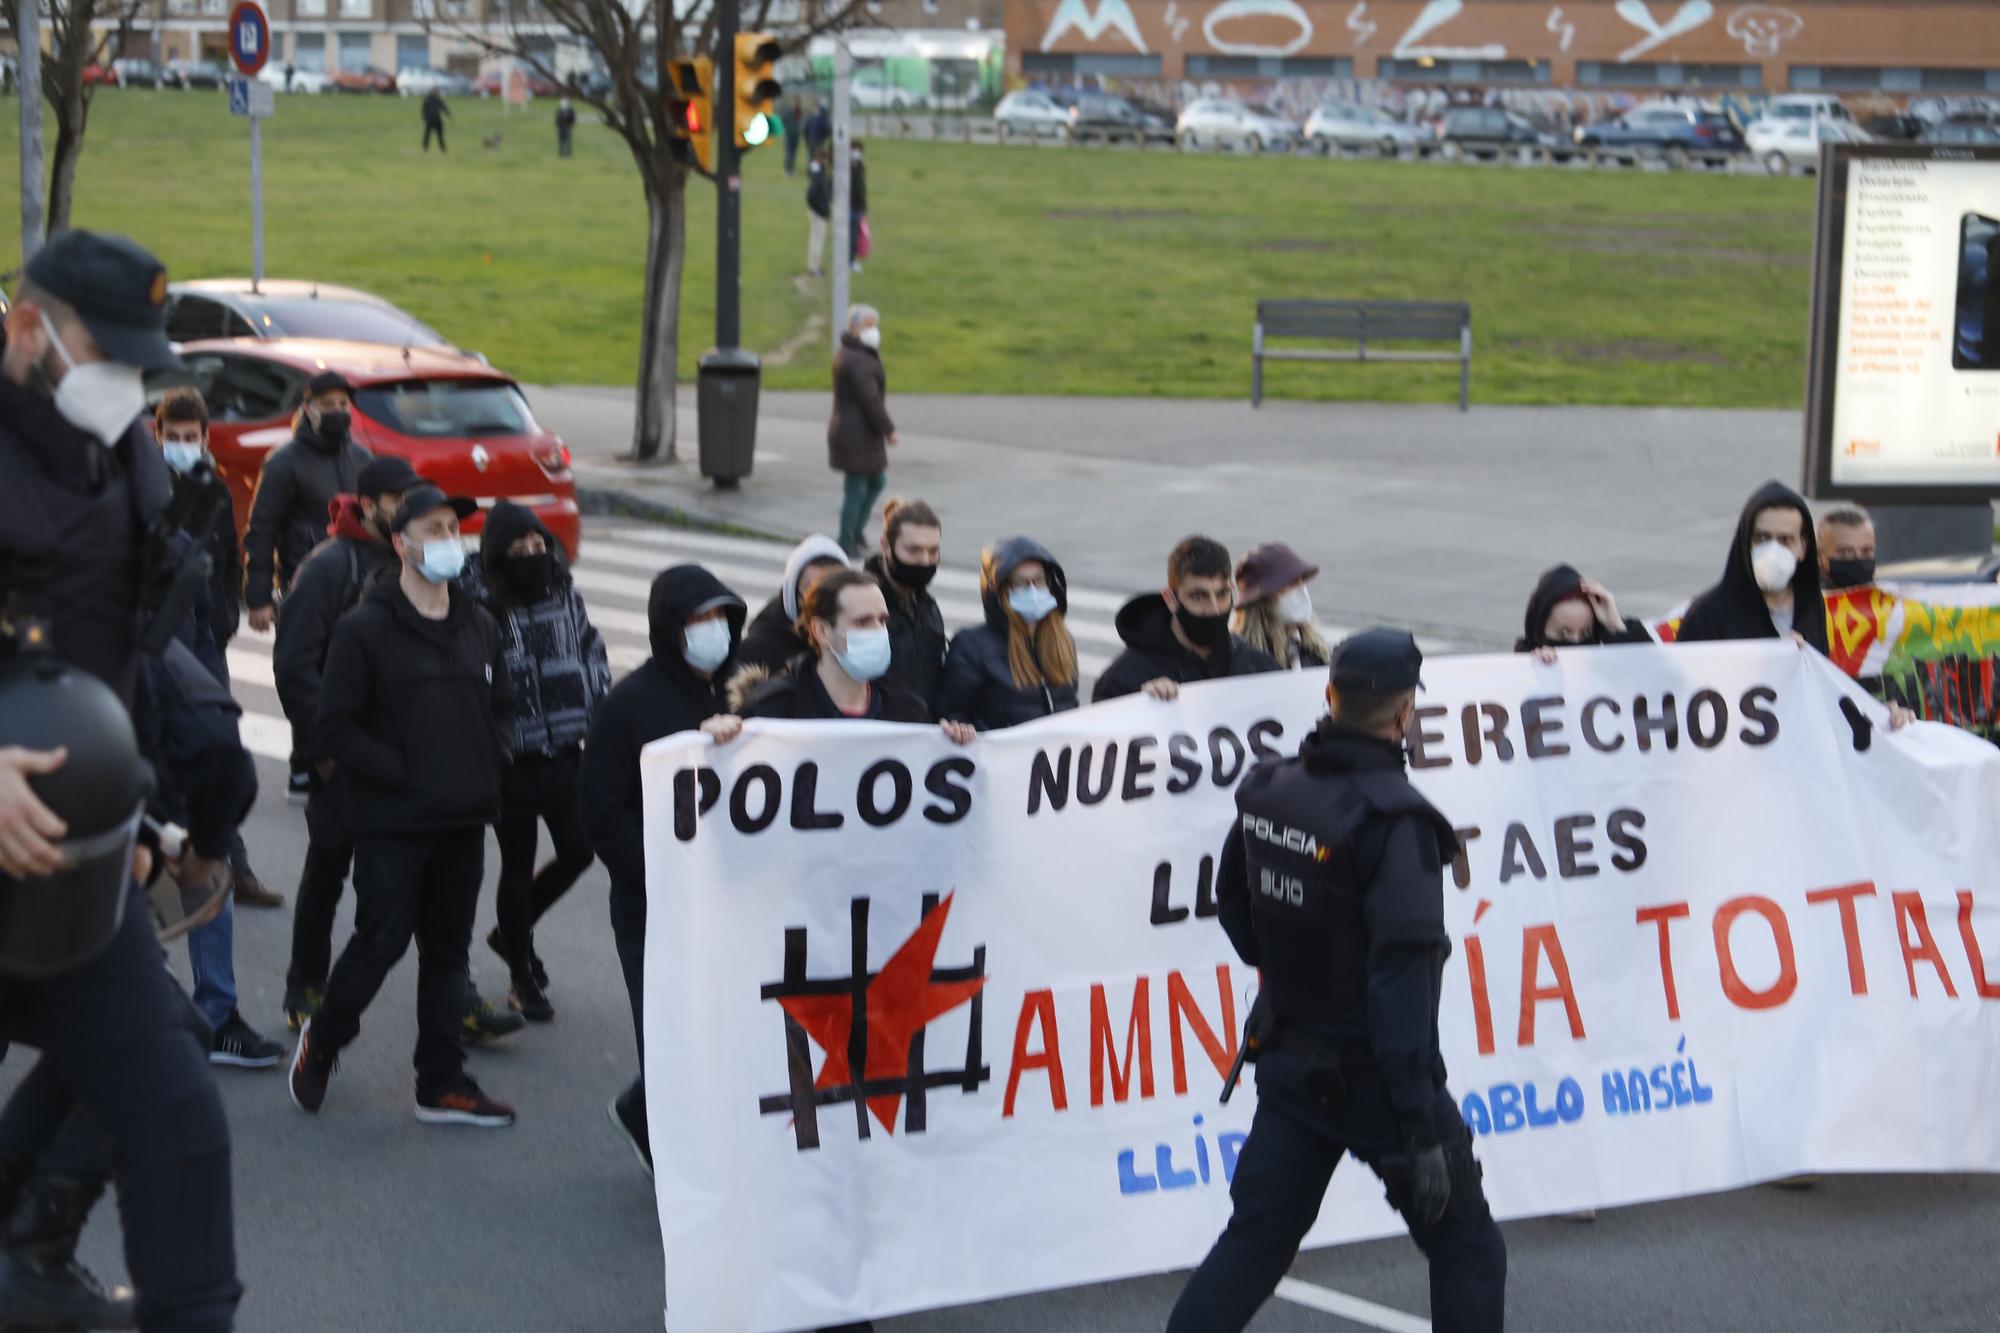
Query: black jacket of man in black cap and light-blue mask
{"points": [[415, 714]]}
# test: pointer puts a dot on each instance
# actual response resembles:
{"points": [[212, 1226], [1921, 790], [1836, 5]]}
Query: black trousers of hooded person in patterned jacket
{"points": [[539, 790]]}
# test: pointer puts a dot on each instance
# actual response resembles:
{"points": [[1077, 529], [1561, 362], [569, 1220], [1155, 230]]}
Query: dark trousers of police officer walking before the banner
{"points": [[1281, 1180]]}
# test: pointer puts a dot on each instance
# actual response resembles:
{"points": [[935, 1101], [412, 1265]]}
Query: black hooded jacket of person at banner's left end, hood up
{"points": [[661, 698]]}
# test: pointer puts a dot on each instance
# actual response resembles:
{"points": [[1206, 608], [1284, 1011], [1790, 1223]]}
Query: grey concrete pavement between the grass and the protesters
{"points": [[1419, 515]]}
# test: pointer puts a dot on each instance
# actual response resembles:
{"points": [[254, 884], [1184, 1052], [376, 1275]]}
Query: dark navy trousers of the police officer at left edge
{"points": [[123, 1040]]}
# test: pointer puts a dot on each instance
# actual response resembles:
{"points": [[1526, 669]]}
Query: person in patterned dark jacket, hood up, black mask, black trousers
{"points": [[559, 672]]}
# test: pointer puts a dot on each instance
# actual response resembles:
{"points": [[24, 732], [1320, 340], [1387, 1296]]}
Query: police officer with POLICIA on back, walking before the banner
{"points": [[1333, 886]]}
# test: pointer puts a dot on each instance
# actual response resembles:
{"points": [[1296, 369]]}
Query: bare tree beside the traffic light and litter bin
{"points": [[617, 35]]}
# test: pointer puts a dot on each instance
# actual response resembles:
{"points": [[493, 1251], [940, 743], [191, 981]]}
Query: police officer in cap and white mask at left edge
{"points": [[81, 485]]}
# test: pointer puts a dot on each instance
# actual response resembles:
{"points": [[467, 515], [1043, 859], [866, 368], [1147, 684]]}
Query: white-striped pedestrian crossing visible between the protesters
{"points": [[615, 575]]}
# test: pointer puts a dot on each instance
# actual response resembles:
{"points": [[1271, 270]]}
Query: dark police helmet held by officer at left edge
{"points": [[51, 924]]}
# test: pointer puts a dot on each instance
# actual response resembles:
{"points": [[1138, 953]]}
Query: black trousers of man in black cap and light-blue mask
{"points": [[425, 888]]}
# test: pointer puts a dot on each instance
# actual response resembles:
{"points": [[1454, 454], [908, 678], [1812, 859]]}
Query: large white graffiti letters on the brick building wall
{"points": [[1441, 31]]}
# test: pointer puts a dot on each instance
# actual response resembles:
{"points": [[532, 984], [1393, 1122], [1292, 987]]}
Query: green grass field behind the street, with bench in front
{"points": [[1003, 271]]}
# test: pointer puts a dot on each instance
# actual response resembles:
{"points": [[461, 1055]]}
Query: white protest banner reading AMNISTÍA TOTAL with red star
{"points": [[931, 1026]]}
